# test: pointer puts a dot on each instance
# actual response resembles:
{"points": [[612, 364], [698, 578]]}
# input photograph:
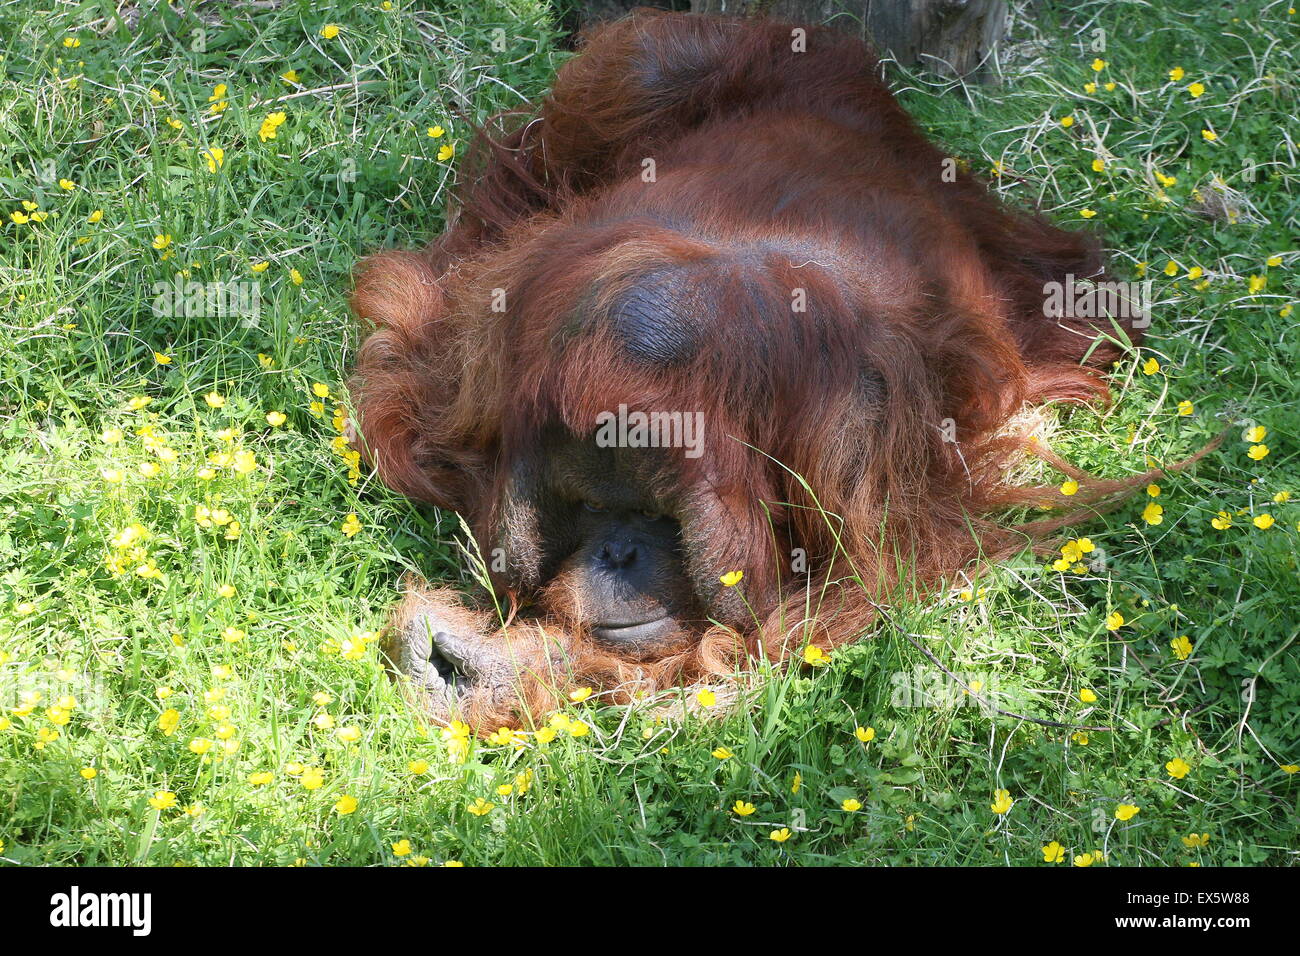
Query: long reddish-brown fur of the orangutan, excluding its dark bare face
{"points": [[775, 171]]}
